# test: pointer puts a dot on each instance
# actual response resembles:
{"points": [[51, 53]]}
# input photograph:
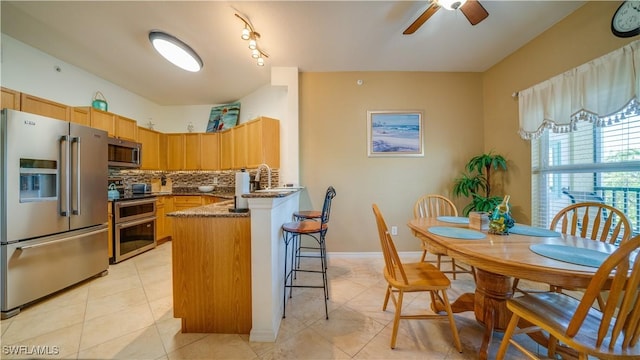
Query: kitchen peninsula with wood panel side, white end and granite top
{"points": [[228, 267]]}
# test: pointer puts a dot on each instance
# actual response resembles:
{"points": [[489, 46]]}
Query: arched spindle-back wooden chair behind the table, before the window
{"points": [[590, 220]]}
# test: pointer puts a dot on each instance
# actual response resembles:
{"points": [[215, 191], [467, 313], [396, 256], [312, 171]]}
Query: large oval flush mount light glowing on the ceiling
{"points": [[176, 51]]}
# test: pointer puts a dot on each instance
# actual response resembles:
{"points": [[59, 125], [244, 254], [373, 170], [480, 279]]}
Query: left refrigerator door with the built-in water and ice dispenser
{"points": [[34, 153]]}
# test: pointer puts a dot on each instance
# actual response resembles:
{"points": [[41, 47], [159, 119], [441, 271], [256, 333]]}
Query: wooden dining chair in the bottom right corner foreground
{"points": [[611, 332]]}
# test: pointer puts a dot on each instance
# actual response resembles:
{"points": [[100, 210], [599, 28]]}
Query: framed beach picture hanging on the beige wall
{"points": [[394, 133]]}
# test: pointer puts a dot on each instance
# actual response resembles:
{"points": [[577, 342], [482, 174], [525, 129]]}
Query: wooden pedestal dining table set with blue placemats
{"points": [[498, 259]]}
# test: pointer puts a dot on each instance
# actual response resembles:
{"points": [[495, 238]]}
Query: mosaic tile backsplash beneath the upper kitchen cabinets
{"points": [[191, 179]]}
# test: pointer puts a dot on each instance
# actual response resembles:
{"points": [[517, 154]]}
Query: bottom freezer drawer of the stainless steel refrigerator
{"points": [[36, 268]]}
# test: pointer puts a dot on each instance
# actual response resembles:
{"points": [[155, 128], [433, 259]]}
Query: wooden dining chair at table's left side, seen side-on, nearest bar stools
{"points": [[411, 277]]}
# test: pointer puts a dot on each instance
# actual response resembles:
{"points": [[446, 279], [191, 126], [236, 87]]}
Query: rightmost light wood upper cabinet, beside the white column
{"points": [[263, 142]]}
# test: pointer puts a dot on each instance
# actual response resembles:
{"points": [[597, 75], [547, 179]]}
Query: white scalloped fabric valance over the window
{"points": [[602, 91]]}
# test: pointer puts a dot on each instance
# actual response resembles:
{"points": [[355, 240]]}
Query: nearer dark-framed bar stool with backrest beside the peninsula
{"points": [[317, 230]]}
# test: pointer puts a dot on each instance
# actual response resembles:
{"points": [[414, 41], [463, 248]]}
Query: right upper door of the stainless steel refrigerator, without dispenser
{"points": [[89, 172]]}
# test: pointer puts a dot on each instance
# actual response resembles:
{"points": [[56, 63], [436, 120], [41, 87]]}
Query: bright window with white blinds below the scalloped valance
{"points": [[596, 161]]}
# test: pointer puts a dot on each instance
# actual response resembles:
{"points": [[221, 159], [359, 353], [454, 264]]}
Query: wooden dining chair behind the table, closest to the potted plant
{"points": [[432, 205]]}
